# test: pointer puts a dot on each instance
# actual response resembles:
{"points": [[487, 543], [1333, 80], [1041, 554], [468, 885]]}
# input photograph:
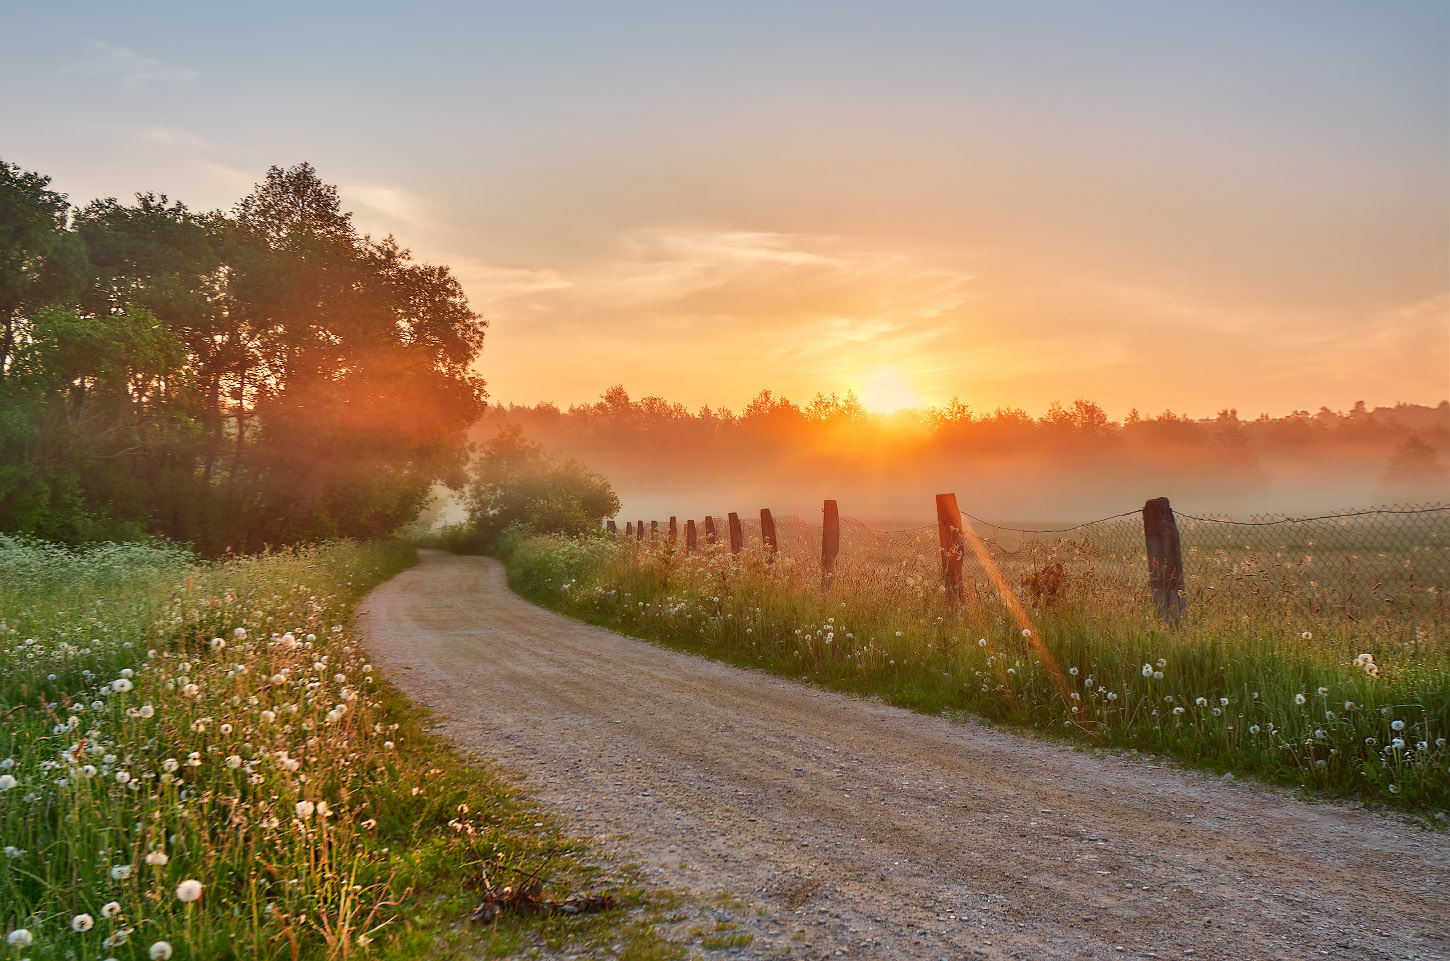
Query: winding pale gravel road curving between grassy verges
{"points": [[856, 830]]}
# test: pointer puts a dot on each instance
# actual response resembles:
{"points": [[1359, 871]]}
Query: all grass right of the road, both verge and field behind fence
{"points": [[1314, 654]]}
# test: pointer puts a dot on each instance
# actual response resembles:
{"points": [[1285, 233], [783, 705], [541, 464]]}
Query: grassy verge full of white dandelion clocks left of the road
{"points": [[199, 763]]}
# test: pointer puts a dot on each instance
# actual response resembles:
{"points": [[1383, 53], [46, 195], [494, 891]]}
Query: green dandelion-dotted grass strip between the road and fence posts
{"points": [[1233, 695]]}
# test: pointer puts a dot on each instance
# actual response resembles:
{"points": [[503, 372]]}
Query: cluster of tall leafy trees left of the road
{"points": [[225, 379]]}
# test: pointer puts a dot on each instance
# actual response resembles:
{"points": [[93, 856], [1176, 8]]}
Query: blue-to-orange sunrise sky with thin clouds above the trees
{"points": [[1182, 207]]}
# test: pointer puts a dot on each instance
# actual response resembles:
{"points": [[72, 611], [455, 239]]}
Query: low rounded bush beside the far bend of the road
{"points": [[518, 486]]}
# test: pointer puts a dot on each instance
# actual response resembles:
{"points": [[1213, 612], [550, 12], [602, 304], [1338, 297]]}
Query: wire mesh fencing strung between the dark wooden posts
{"points": [[1380, 573]]}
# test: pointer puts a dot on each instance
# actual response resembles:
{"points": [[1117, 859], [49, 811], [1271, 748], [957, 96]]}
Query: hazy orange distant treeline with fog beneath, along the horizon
{"points": [[1069, 465]]}
